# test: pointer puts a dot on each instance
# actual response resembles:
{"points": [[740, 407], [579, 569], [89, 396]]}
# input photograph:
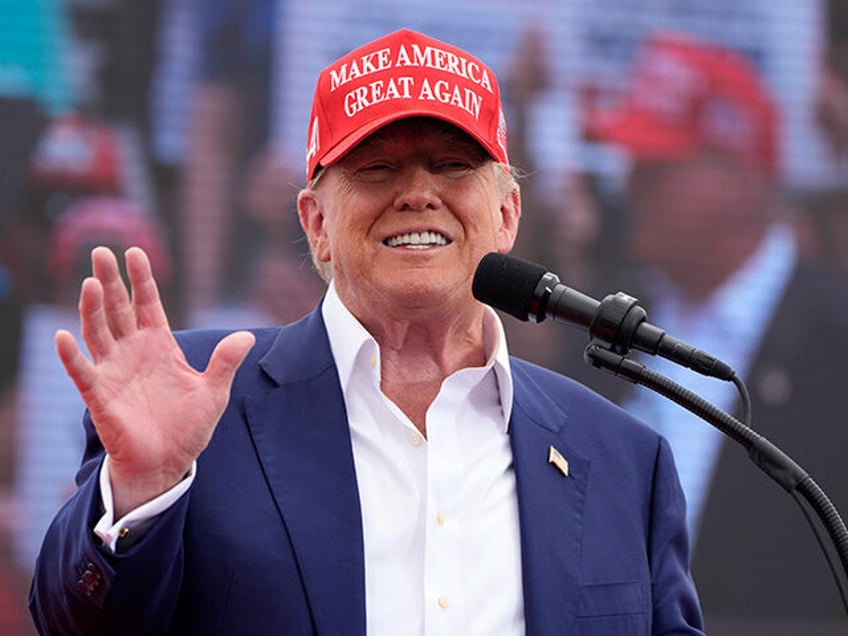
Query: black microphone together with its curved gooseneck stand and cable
{"points": [[528, 291]]}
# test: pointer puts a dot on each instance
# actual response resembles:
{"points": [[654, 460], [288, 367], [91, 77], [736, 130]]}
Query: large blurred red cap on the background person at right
{"points": [[686, 95]]}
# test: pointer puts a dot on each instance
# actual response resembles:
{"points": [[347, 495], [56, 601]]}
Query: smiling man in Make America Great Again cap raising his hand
{"points": [[381, 466]]}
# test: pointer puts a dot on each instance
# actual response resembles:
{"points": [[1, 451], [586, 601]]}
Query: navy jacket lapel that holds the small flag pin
{"points": [[550, 508]]}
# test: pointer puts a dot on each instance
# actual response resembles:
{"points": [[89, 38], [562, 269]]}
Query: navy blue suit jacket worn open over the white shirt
{"points": [[269, 537]]}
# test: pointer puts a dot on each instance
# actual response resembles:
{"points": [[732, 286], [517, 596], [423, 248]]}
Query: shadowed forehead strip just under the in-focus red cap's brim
{"points": [[420, 130]]}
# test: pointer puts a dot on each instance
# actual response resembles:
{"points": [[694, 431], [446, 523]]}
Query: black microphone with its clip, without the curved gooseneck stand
{"points": [[528, 291]]}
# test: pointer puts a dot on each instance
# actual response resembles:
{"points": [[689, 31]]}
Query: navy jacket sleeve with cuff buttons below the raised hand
{"points": [[80, 587]]}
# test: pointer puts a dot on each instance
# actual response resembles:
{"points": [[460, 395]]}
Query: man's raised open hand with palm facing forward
{"points": [[153, 412]]}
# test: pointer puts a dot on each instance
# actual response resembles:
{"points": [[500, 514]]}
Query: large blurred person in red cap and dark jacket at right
{"points": [[720, 269]]}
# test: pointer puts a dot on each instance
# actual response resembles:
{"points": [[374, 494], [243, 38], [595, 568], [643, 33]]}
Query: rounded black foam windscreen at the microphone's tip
{"points": [[507, 283]]}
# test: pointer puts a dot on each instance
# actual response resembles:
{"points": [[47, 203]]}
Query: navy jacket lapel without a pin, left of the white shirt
{"points": [[302, 438]]}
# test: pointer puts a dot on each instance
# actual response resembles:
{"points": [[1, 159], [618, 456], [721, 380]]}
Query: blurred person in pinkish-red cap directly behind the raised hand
{"points": [[49, 440]]}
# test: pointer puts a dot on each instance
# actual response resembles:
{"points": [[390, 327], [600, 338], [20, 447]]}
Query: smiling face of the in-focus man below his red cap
{"points": [[406, 216]]}
